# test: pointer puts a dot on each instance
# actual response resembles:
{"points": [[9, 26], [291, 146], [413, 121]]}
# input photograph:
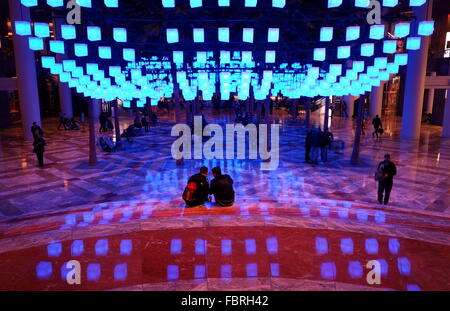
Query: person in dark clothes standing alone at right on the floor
{"points": [[385, 176]]}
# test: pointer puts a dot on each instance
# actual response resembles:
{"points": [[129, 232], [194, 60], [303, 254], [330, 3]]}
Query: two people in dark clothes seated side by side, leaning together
{"points": [[199, 190]]}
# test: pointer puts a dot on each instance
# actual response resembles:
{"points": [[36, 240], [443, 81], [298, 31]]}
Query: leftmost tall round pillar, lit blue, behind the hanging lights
{"points": [[26, 72]]}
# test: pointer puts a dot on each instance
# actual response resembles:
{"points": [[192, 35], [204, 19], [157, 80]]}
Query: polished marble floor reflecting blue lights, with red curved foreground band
{"points": [[300, 227]]}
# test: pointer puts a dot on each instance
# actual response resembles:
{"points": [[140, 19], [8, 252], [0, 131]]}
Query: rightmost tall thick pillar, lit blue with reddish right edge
{"points": [[415, 78]]}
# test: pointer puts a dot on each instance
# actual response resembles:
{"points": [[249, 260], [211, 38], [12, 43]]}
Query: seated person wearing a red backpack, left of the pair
{"points": [[197, 189]]}
